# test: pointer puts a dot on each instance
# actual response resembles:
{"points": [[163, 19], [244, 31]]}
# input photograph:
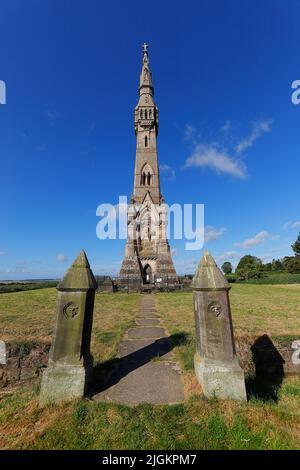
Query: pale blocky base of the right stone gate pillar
{"points": [[220, 379]]}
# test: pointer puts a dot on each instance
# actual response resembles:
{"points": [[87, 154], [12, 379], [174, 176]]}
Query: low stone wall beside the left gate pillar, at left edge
{"points": [[24, 362]]}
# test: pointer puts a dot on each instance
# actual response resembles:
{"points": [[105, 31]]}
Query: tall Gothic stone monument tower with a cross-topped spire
{"points": [[147, 256]]}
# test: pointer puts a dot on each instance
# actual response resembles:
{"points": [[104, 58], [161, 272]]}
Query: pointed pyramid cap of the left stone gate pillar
{"points": [[79, 276]]}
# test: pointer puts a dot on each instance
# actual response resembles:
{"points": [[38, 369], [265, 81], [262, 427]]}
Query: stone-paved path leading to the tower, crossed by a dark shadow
{"points": [[146, 371]]}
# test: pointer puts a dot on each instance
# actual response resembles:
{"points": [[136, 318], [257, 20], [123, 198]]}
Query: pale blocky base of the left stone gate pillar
{"points": [[62, 382]]}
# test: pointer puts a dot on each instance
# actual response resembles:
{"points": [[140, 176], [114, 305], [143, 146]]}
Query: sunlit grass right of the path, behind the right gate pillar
{"points": [[256, 310]]}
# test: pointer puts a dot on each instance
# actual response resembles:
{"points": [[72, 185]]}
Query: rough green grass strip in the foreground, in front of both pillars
{"points": [[197, 424]]}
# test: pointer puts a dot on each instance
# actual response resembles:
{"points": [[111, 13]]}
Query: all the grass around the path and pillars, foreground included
{"points": [[197, 424]]}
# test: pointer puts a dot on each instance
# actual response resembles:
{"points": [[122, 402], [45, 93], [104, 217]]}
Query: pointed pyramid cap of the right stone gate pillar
{"points": [[208, 276]]}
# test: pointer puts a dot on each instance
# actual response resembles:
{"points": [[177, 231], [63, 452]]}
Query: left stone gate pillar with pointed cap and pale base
{"points": [[70, 362]]}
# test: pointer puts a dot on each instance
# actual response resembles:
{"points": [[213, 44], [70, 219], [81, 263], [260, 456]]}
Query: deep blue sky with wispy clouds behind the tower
{"points": [[228, 138]]}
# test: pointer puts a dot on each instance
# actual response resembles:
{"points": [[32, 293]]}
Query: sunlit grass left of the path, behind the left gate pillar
{"points": [[28, 317]]}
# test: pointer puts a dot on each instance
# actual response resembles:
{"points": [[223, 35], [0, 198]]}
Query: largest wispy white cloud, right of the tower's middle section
{"points": [[208, 155]]}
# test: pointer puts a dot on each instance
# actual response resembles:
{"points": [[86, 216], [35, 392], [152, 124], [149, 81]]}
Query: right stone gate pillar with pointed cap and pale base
{"points": [[216, 365]]}
